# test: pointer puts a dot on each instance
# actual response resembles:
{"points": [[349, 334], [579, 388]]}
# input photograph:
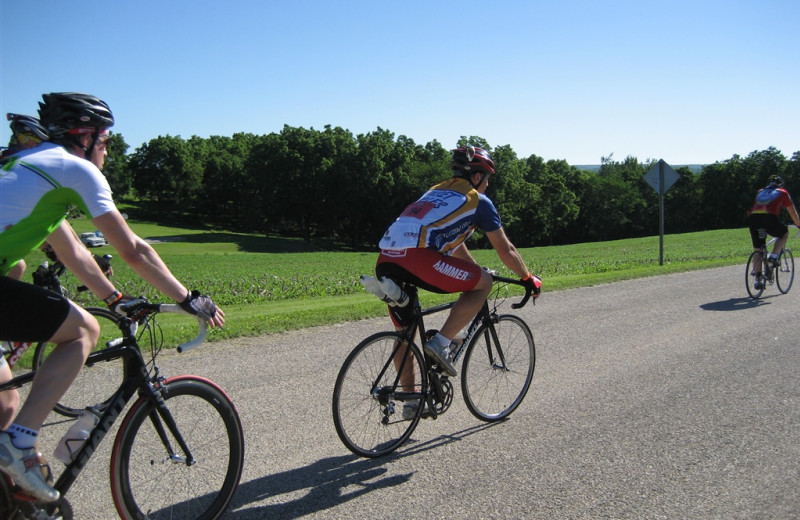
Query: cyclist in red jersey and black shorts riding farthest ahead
{"points": [[765, 214]]}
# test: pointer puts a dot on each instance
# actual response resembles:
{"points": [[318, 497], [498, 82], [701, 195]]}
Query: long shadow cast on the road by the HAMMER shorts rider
{"points": [[330, 481]]}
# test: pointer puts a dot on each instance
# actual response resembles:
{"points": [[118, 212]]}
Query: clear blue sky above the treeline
{"points": [[685, 81]]}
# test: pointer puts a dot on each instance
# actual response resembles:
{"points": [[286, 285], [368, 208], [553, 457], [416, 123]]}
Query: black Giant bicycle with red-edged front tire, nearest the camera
{"points": [[179, 451]]}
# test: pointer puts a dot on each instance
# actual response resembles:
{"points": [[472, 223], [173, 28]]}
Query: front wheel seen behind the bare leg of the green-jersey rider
{"points": [[95, 384]]}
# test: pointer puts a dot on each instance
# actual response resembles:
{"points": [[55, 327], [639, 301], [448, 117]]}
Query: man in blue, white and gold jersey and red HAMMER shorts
{"points": [[426, 246]]}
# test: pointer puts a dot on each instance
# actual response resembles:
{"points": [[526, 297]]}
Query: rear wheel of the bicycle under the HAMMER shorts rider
{"points": [[367, 402]]}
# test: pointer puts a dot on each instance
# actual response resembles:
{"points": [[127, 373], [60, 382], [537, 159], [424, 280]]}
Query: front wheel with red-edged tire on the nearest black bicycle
{"points": [[146, 483]]}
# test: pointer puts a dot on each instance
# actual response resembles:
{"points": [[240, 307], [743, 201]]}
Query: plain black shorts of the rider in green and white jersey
{"points": [[29, 313]]}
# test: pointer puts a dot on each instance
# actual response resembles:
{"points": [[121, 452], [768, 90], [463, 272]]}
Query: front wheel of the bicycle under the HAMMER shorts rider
{"points": [[498, 370]]}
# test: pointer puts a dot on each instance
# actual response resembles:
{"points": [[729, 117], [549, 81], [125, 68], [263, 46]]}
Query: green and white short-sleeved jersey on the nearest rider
{"points": [[38, 188]]}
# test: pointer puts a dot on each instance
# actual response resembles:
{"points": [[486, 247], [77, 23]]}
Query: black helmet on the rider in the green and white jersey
{"points": [[64, 113]]}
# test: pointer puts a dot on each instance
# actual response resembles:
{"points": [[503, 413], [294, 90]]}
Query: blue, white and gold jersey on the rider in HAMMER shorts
{"points": [[442, 219]]}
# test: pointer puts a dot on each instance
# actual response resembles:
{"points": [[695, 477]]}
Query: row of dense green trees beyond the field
{"points": [[331, 184]]}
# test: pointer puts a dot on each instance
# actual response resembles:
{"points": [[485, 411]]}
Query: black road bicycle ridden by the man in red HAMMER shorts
{"points": [[375, 387]]}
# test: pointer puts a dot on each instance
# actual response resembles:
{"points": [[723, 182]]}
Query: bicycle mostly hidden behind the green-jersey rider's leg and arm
{"points": [[85, 391]]}
